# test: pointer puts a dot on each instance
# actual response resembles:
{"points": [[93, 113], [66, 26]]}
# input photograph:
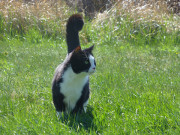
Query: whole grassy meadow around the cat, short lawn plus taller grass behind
{"points": [[135, 89]]}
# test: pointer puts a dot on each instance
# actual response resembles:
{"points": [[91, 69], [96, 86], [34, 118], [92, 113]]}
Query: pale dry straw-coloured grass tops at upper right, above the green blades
{"points": [[143, 12]]}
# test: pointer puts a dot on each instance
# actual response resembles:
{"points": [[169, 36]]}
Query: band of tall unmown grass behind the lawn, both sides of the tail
{"points": [[127, 20]]}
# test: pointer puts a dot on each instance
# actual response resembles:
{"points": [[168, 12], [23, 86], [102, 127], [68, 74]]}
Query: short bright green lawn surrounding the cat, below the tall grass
{"points": [[134, 91]]}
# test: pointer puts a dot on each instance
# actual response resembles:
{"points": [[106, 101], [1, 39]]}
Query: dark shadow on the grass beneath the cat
{"points": [[82, 121]]}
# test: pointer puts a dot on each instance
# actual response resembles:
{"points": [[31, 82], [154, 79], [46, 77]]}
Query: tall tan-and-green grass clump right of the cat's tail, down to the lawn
{"points": [[148, 23]]}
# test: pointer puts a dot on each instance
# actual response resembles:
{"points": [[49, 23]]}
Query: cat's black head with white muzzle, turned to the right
{"points": [[83, 60]]}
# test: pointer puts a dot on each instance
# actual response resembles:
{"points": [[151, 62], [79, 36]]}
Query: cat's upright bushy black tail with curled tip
{"points": [[74, 25]]}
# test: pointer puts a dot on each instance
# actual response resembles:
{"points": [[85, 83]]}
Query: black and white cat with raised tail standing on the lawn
{"points": [[70, 86]]}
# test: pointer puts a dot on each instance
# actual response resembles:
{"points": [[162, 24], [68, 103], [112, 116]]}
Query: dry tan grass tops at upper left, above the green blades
{"points": [[49, 9]]}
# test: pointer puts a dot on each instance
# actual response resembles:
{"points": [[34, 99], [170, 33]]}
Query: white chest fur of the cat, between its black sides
{"points": [[72, 87]]}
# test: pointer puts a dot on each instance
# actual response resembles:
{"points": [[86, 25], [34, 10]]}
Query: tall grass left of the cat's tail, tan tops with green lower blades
{"points": [[45, 15]]}
